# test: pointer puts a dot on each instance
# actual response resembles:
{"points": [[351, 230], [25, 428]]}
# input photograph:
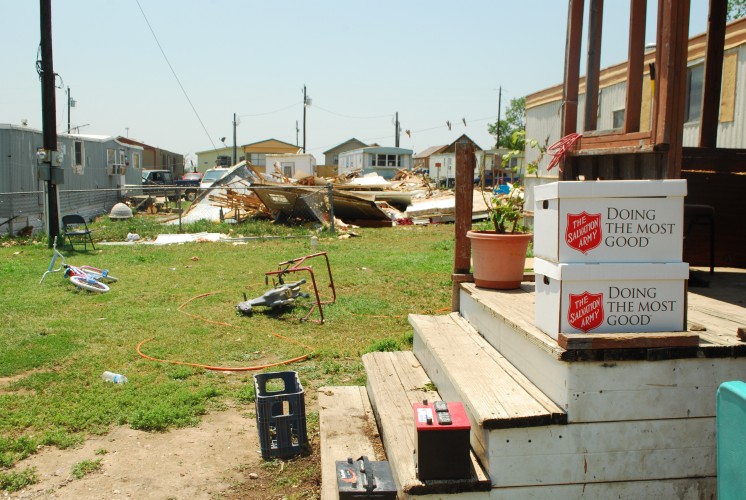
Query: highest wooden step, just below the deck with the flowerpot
{"points": [[466, 368]]}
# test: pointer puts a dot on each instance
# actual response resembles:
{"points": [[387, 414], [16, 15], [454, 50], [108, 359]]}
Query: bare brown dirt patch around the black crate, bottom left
{"points": [[220, 459]]}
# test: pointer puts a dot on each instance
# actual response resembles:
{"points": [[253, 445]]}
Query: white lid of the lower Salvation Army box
{"points": [[612, 271]]}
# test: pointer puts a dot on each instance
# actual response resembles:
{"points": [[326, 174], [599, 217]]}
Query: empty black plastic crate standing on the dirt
{"points": [[280, 415]]}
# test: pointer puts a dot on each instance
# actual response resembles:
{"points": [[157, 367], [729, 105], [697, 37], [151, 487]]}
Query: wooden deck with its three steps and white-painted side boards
{"points": [[536, 406]]}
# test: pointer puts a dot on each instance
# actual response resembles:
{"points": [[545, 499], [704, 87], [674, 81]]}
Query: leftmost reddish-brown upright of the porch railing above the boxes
{"points": [[572, 67]]}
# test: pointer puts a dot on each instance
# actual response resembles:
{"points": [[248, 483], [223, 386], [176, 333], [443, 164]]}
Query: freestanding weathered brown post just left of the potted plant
{"points": [[465, 161]]}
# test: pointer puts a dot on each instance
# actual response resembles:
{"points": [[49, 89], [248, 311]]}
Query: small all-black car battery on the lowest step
{"points": [[362, 478]]}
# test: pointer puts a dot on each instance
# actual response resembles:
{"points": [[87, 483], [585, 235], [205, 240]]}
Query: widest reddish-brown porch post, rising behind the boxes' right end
{"points": [[670, 86]]}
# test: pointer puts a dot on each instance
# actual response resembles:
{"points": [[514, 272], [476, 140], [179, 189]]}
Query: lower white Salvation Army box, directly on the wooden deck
{"points": [[610, 298]]}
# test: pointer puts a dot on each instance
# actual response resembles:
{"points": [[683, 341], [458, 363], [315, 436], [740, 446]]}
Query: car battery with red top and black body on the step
{"points": [[442, 449]]}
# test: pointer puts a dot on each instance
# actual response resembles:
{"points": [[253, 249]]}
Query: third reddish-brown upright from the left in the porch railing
{"points": [[637, 16]]}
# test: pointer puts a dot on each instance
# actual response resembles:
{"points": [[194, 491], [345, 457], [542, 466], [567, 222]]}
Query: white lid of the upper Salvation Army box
{"points": [[611, 189]]}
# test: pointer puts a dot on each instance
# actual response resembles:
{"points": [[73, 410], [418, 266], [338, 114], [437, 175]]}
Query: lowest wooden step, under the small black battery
{"points": [[347, 429]]}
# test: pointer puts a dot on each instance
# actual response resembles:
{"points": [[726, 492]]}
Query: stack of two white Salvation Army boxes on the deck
{"points": [[608, 257]]}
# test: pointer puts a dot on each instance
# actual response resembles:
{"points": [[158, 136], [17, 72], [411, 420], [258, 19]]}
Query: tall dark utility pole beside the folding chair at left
{"points": [[49, 168]]}
